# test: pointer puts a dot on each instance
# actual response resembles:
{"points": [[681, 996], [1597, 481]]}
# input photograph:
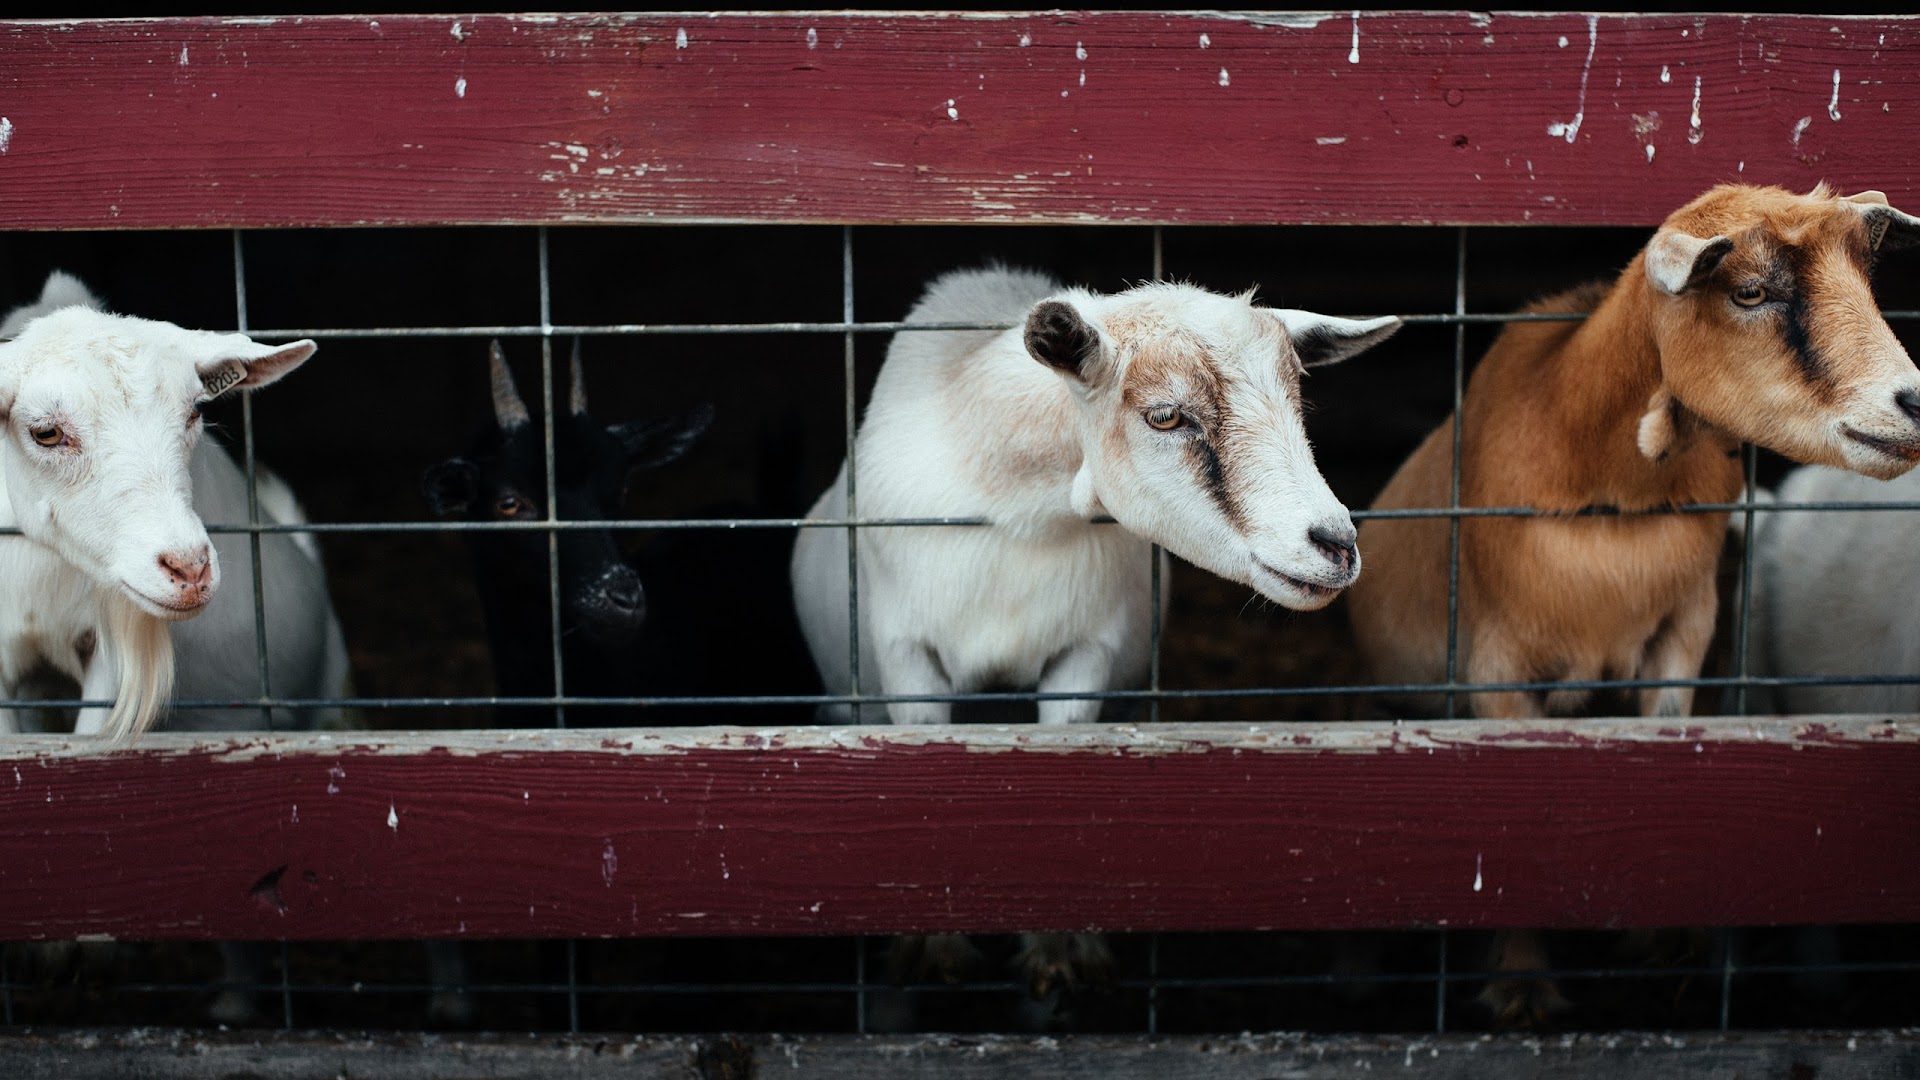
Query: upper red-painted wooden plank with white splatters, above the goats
{"points": [[1166, 118]]}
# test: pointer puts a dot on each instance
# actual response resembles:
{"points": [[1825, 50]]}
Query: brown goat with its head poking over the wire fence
{"points": [[1748, 318]]}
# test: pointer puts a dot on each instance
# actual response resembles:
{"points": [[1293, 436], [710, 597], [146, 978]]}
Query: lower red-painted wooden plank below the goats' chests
{"points": [[869, 831]]}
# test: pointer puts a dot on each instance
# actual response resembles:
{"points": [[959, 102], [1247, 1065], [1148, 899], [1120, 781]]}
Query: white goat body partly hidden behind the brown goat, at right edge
{"points": [[1835, 593]]}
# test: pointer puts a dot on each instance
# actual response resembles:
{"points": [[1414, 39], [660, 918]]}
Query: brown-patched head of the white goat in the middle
{"points": [[1191, 433]]}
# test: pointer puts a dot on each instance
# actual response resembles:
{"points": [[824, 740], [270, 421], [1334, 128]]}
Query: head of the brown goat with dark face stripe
{"points": [[1767, 328]]}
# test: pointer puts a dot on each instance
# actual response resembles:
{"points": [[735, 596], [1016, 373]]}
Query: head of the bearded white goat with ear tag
{"points": [[101, 418]]}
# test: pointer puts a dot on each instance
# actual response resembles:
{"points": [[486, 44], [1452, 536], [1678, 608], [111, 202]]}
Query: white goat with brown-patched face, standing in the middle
{"points": [[1170, 408]]}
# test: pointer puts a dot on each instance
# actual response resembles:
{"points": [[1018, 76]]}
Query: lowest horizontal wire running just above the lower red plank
{"points": [[1203, 695]]}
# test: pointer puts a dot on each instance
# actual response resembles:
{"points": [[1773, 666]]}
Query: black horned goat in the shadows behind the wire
{"points": [[711, 620]]}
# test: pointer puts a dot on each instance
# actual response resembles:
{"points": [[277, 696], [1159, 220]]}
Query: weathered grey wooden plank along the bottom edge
{"points": [[299, 1056]]}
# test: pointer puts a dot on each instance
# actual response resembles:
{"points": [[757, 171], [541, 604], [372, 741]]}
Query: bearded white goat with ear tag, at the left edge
{"points": [[107, 478]]}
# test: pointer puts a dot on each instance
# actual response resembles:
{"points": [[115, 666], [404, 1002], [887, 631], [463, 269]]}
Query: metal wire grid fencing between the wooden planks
{"points": [[848, 328]]}
